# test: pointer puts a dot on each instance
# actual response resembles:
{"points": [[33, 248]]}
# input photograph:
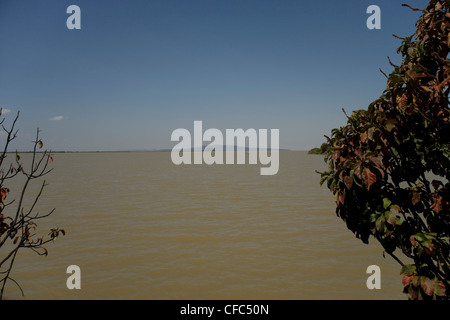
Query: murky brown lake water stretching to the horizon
{"points": [[140, 227]]}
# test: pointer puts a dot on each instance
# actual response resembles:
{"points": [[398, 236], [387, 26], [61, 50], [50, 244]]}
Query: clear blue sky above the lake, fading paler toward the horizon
{"points": [[139, 69]]}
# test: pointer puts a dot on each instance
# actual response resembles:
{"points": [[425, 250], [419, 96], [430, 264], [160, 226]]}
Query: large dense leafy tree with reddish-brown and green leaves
{"points": [[389, 166]]}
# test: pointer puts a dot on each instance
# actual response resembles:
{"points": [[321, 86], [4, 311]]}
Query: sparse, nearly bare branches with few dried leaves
{"points": [[18, 228]]}
